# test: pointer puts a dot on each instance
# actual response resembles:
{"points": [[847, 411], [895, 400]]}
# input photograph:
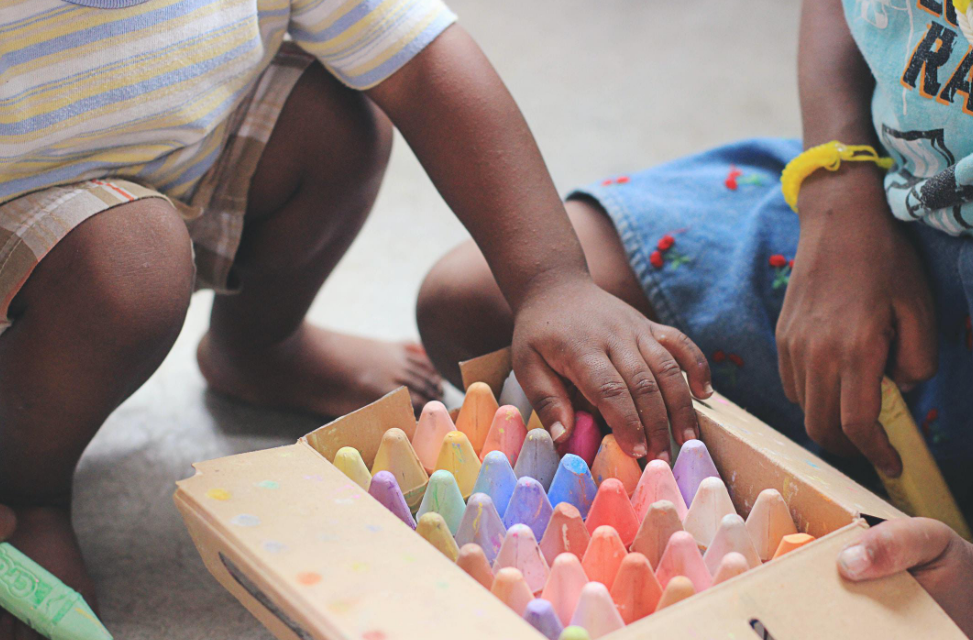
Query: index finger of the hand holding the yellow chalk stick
{"points": [[861, 402]]}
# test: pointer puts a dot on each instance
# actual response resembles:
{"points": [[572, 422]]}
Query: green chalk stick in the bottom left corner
{"points": [[43, 602]]}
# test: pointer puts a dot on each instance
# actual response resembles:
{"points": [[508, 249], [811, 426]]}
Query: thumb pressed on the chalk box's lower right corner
{"points": [[894, 546]]}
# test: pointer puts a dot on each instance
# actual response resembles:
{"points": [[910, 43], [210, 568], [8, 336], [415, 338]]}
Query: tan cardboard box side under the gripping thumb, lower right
{"points": [[801, 595]]}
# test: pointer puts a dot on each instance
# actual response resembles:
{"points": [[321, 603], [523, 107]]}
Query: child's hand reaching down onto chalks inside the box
{"points": [[624, 364]]}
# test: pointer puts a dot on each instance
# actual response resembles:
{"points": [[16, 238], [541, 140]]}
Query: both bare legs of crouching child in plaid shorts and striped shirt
{"points": [[101, 311]]}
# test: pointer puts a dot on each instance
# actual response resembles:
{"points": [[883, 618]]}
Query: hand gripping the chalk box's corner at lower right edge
{"points": [[939, 559]]}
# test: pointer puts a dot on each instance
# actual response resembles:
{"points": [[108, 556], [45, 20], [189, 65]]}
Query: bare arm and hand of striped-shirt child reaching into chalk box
{"points": [[469, 135]]}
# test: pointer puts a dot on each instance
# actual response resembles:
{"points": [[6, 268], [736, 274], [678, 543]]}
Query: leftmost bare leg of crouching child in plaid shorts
{"points": [[93, 321]]}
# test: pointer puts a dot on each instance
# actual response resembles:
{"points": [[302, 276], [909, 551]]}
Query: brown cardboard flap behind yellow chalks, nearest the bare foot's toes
{"points": [[363, 429]]}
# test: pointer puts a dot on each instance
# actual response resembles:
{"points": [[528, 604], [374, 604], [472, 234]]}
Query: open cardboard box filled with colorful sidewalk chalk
{"points": [[517, 539]]}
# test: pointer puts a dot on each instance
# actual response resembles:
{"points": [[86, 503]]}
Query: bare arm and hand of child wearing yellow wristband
{"points": [[858, 301]]}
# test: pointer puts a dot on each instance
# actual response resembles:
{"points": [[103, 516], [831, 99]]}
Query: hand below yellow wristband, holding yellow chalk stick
{"points": [[858, 304]]}
